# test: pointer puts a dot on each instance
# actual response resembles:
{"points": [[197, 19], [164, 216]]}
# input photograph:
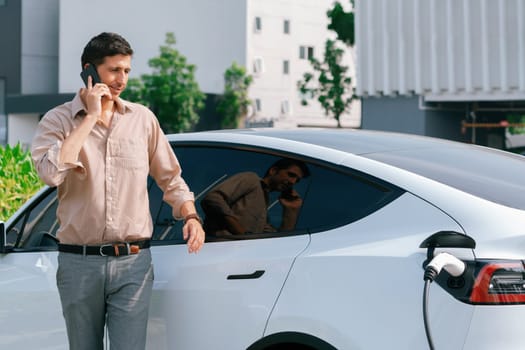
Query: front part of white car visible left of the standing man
{"points": [[31, 314]]}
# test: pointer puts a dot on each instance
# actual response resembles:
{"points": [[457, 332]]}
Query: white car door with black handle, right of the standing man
{"points": [[221, 297]]}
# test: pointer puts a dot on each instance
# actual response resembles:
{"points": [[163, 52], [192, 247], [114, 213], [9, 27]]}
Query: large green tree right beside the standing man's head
{"points": [[171, 91]]}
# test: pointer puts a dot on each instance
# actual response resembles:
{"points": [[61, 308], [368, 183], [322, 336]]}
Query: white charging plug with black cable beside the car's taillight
{"points": [[453, 266]]}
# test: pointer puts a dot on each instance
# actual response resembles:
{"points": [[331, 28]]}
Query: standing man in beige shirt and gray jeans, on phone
{"points": [[98, 150]]}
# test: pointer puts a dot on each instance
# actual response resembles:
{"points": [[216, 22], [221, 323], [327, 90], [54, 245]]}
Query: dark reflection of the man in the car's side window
{"points": [[239, 204]]}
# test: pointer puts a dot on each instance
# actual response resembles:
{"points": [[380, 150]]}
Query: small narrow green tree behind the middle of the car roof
{"points": [[234, 102]]}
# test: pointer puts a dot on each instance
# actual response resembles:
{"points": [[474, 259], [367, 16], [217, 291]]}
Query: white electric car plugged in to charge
{"points": [[377, 208]]}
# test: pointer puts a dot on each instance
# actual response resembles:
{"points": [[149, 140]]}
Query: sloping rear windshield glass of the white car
{"points": [[494, 175]]}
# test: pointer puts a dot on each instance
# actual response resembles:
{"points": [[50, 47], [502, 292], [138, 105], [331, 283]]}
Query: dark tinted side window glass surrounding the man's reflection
{"points": [[331, 196]]}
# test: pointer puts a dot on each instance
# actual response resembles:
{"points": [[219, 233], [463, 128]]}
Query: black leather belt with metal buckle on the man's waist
{"points": [[110, 249]]}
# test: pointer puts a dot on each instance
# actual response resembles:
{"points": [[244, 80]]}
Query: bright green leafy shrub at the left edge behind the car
{"points": [[18, 179]]}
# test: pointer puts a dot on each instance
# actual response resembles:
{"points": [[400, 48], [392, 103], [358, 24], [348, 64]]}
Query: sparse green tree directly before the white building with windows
{"points": [[333, 88]]}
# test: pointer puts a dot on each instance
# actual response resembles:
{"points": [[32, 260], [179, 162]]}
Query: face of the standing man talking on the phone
{"points": [[114, 72]]}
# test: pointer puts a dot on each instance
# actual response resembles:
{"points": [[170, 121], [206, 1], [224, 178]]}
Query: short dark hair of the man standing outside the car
{"points": [[104, 45]]}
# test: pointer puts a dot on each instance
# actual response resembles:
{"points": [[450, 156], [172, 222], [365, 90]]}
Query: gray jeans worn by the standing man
{"points": [[98, 289]]}
